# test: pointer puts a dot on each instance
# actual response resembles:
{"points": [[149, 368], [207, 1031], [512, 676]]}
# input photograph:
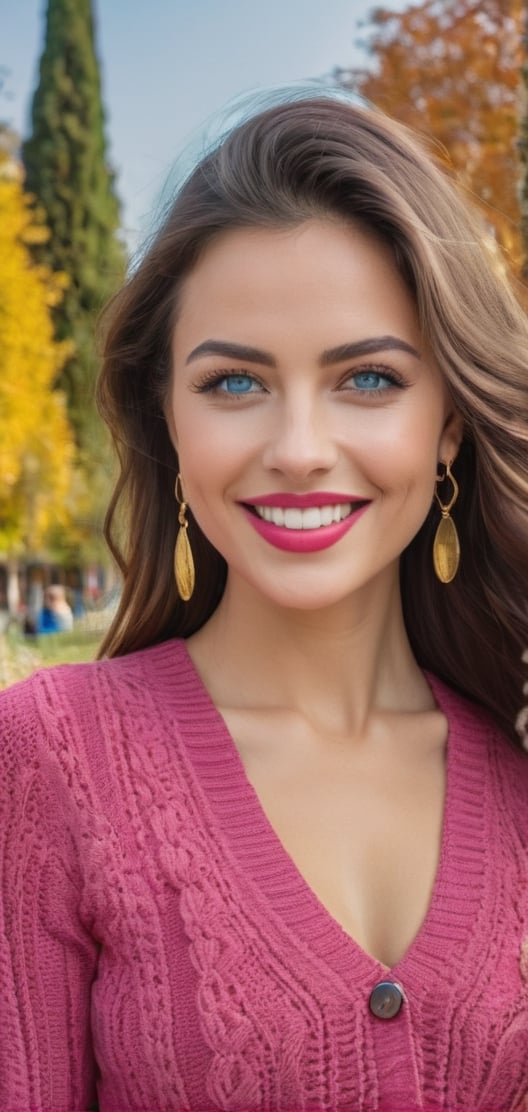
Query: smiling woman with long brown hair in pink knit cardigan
{"points": [[272, 851]]}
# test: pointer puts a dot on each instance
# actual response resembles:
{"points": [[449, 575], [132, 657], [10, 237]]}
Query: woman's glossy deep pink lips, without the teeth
{"points": [[304, 541]]}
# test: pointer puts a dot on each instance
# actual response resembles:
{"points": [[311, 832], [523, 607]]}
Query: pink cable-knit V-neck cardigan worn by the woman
{"points": [[160, 948]]}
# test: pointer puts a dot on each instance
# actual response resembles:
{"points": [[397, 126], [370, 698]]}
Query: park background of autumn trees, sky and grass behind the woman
{"points": [[104, 104]]}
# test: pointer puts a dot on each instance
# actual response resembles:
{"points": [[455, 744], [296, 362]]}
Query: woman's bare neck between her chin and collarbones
{"points": [[335, 666]]}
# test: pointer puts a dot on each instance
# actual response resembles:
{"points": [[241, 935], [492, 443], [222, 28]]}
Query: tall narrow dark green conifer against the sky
{"points": [[68, 174]]}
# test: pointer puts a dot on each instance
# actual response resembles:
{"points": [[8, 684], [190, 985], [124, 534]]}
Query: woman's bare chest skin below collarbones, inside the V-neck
{"points": [[362, 826]]}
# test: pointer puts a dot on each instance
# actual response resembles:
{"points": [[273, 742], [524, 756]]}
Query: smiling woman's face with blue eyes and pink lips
{"points": [[307, 412]]}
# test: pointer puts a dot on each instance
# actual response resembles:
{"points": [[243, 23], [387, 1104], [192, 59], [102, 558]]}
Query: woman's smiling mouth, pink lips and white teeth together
{"points": [[304, 524]]}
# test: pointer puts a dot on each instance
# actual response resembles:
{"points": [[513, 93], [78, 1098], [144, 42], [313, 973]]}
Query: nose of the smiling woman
{"points": [[302, 442]]}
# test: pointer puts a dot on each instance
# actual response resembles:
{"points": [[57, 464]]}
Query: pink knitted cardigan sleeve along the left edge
{"points": [[48, 960]]}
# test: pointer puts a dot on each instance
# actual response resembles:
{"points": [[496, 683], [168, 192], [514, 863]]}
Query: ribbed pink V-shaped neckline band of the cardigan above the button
{"points": [[267, 865]]}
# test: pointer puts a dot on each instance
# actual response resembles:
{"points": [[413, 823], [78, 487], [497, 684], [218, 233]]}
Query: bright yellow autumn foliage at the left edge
{"points": [[36, 442]]}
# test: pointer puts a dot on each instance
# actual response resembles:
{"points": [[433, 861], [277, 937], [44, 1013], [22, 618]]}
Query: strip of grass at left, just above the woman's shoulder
{"points": [[21, 657]]}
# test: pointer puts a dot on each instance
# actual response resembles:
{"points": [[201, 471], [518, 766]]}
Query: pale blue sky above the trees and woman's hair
{"points": [[171, 67]]}
